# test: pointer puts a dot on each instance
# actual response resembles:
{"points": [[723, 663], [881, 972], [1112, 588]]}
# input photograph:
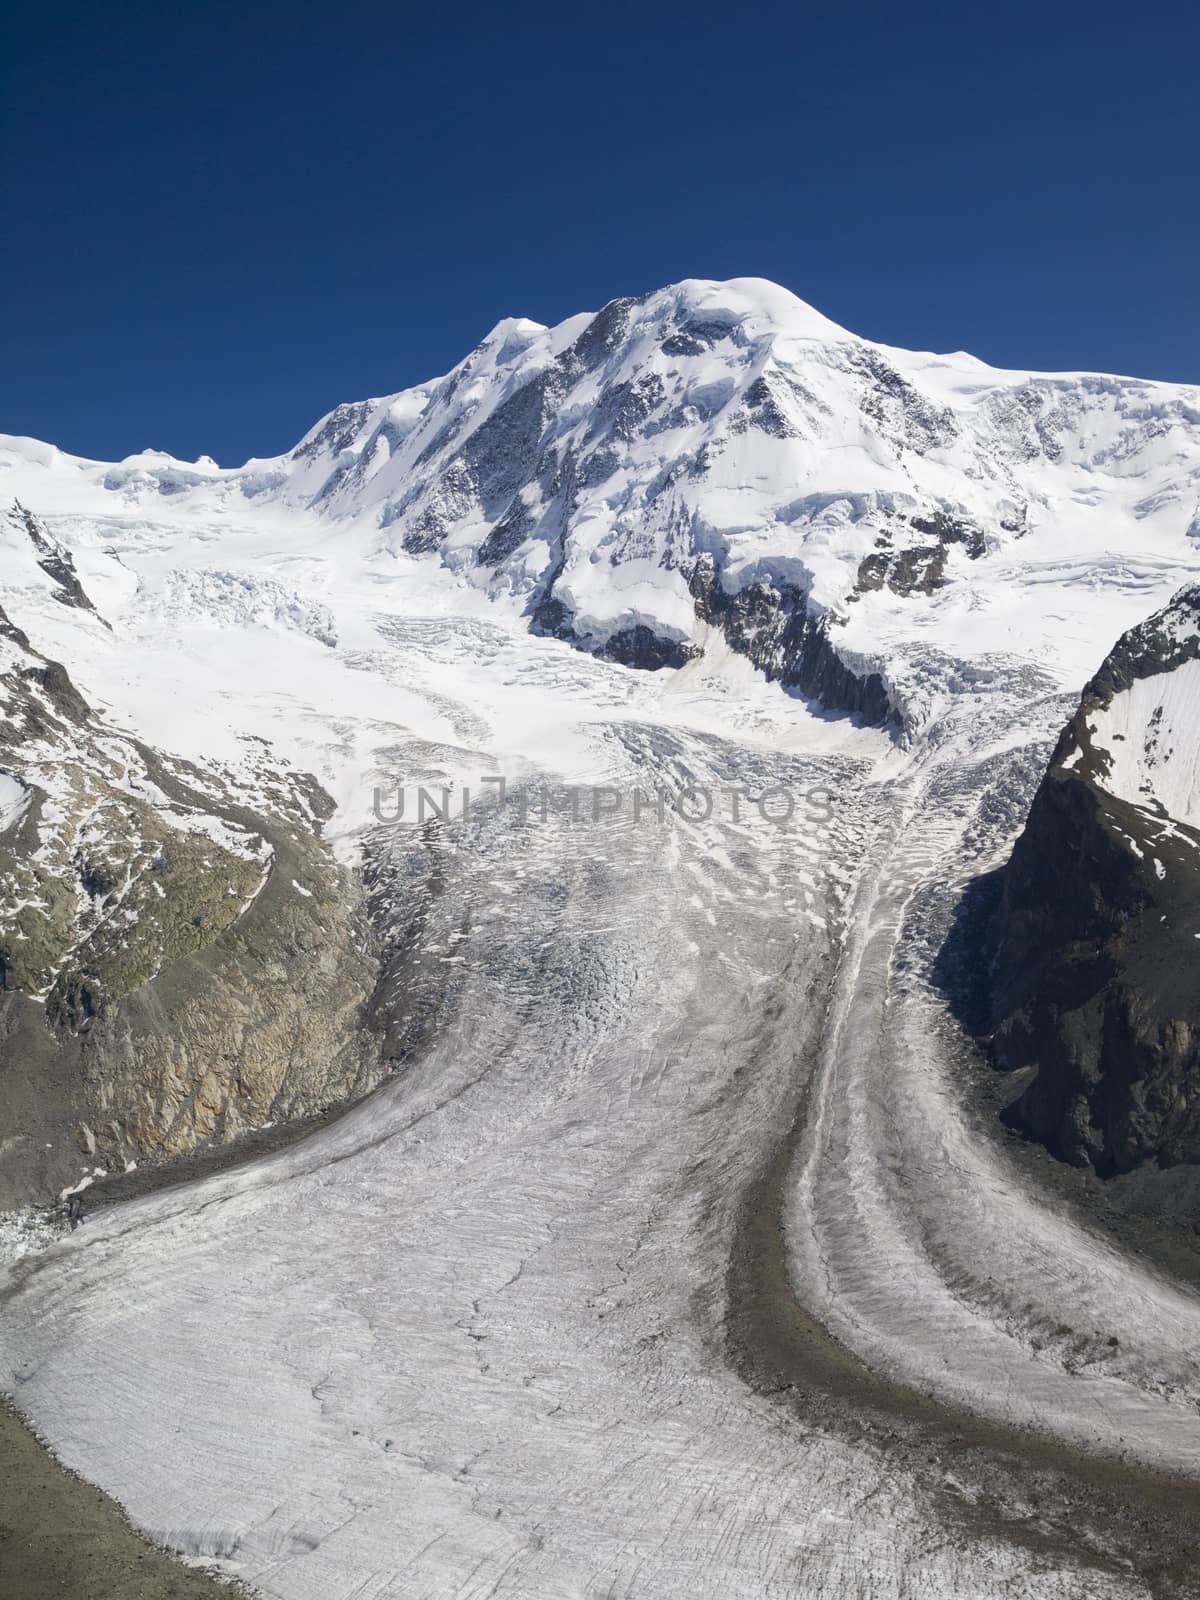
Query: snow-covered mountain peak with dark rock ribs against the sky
{"points": [[722, 457]]}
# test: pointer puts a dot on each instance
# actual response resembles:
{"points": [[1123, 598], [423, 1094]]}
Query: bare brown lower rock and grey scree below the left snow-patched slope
{"points": [[265, 1025]]}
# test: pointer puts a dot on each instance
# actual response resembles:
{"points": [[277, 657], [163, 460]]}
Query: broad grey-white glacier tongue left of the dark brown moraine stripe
{"points": [[476, 1337]]}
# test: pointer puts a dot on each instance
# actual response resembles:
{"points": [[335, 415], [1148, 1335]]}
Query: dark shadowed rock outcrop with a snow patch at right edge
{"points": [[1097, 970]]}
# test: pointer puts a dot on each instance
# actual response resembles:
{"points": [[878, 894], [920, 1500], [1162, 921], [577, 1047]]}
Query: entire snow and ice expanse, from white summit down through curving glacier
{"points": [[674, 1262]]}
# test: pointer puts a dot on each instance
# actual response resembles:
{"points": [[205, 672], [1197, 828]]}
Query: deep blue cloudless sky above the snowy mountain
{"points": [[225, 218]]}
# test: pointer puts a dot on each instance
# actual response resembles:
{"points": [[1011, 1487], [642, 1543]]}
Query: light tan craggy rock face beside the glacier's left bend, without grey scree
{"points": [[265, 1025]]}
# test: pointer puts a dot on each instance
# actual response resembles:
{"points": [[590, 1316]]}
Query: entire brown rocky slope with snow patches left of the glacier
{"points": [[175, 967]]}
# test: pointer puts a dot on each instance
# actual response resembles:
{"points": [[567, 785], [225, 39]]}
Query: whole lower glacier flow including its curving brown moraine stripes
{"points": [[671, 1265]]}
